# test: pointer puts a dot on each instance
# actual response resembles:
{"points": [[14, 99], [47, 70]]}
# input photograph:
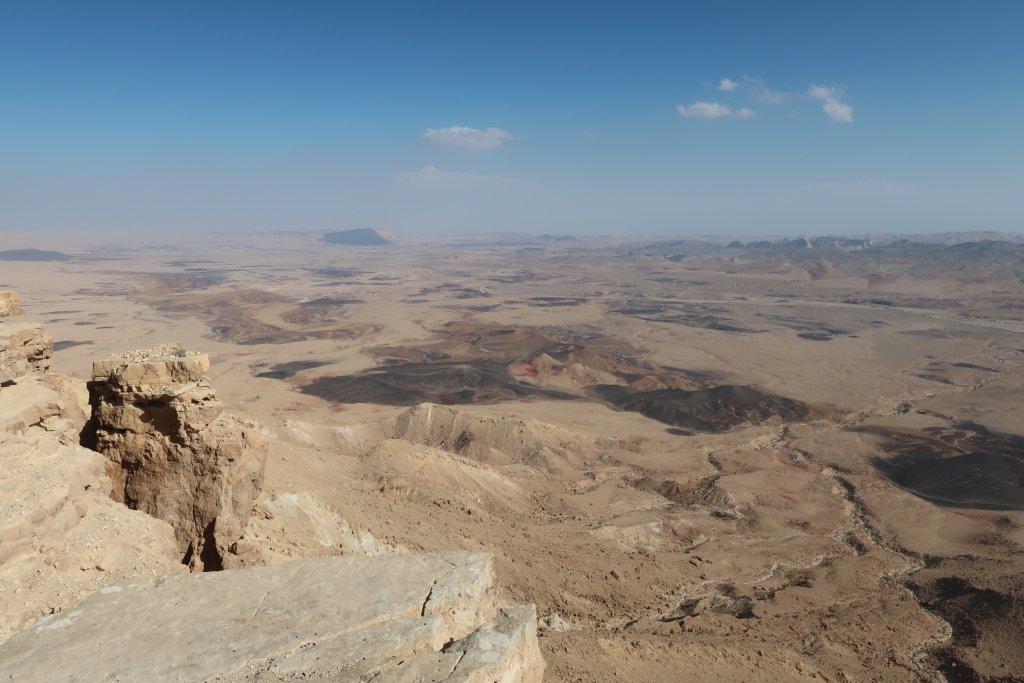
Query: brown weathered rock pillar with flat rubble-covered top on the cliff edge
{"points": [[174, 451]]}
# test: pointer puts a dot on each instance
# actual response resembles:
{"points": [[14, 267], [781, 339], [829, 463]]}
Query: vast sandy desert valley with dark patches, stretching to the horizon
{"points": [[750, 462]]}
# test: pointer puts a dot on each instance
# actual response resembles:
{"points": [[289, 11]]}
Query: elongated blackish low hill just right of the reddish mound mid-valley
{"points": [[715, 410]]}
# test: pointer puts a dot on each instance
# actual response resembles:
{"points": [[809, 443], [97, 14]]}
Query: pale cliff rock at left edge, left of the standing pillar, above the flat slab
{"points": [[62, 537]]}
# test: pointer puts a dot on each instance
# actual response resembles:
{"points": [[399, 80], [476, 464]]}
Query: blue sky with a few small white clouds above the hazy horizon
{"points": [[454, 117]]}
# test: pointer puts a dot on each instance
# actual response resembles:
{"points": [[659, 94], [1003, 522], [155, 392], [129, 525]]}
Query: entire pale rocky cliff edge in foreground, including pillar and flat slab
{"points": [[96, 547]]}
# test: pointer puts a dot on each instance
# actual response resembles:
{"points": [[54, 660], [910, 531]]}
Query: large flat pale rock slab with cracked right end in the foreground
{"points": [[400, 618]]}
